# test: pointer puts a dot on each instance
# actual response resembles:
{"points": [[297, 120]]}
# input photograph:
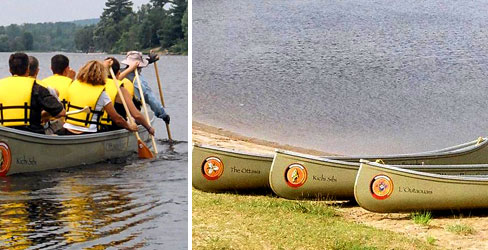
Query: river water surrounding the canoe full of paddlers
{"points": [[128, 204]]}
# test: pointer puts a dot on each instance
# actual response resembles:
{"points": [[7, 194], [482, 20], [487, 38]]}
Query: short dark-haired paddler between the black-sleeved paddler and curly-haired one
{"points": [[62, 76]]}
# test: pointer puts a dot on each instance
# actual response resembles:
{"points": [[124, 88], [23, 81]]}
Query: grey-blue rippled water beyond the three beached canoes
{"points": [[352, 77]]}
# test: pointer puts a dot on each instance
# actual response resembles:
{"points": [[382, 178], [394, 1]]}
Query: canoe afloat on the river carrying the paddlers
{"points": [[22, 152]]}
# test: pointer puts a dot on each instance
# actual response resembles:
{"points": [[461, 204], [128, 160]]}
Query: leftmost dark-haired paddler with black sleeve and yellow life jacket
{"points": [[22, 99]]}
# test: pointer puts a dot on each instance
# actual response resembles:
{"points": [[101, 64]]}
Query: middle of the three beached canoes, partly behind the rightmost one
{"points": [[300, 176]]}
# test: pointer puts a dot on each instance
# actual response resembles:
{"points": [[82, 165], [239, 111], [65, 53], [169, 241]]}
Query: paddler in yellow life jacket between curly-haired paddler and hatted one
{"points": [[107, 124]]}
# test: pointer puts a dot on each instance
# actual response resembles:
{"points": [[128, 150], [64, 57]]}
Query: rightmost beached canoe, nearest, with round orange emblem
{"points": [[385, 189]]}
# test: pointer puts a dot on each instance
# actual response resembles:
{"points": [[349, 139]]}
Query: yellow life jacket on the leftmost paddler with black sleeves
{"points": [[15, 97]]}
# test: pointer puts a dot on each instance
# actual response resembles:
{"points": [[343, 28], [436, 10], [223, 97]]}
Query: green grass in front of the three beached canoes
{"points": [[230, 221]]}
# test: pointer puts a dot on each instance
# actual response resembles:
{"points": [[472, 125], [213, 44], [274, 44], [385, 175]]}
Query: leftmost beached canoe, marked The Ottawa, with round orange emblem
{"points": [[216, 170]]}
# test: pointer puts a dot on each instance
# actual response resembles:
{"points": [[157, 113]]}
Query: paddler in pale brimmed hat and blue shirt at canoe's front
{"points": [[136, 57]]}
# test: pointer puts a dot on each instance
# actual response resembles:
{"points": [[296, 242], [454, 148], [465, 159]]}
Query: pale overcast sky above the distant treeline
{"points": [[36, 11]]}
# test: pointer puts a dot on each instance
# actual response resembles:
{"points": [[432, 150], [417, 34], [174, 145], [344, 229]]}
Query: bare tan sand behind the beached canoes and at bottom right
{"points": [[442, 228]]}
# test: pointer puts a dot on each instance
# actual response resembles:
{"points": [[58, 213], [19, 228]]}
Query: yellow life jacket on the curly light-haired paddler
{"points": [[80, 95]]}
